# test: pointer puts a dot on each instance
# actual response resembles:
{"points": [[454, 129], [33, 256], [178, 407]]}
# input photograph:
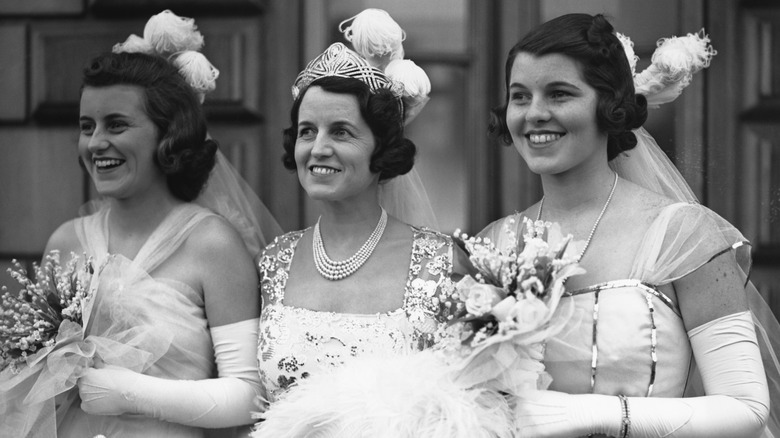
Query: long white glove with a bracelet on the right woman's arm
{"points": [[736, 404]]}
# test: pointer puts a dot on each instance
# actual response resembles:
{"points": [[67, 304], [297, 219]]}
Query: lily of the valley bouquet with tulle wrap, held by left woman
{"points": [[41, 336]]}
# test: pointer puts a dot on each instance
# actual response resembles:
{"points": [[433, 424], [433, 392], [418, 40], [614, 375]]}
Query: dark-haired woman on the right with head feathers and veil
{"points": [[668, 337]]}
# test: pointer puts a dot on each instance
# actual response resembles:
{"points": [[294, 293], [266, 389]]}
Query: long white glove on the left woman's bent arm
{"points": [[211, 403]]}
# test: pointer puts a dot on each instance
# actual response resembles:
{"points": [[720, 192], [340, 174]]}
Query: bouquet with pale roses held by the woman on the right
{"points": [[502, 315]]}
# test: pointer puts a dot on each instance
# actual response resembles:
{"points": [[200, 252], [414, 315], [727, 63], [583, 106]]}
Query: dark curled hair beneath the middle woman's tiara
{"points": [[393, 154]]}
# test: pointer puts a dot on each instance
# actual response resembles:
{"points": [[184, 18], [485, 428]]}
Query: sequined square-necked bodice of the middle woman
{"points": [[295, 342]]}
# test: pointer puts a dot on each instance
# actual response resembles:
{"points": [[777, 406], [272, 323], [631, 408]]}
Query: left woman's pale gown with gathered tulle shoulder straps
{"points": [[161, 320]]}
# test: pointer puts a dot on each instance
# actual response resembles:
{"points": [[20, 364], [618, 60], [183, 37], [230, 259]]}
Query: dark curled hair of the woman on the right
{"points": [[592, 43]]}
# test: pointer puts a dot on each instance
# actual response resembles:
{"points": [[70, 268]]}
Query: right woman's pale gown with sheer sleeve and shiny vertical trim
{"points": [[626, 336]]}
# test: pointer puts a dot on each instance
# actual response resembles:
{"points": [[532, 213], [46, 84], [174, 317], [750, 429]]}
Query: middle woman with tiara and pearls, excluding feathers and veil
{"points": [[357, 261]]}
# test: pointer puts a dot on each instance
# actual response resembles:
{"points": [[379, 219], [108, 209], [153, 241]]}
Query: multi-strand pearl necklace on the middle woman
{"points": [[336, 270]]}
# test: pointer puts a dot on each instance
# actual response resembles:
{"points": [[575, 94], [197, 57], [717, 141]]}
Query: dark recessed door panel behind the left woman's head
{"points": [[59, 50]]}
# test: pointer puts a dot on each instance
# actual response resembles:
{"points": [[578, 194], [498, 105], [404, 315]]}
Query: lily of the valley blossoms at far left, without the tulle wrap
{"points": [[32, 318]]}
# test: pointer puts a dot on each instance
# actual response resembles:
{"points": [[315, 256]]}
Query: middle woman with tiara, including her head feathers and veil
{"points": [[365, 280]]}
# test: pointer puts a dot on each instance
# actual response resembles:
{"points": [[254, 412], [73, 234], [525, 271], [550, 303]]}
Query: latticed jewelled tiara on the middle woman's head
{"points": [[337, 60]]}
